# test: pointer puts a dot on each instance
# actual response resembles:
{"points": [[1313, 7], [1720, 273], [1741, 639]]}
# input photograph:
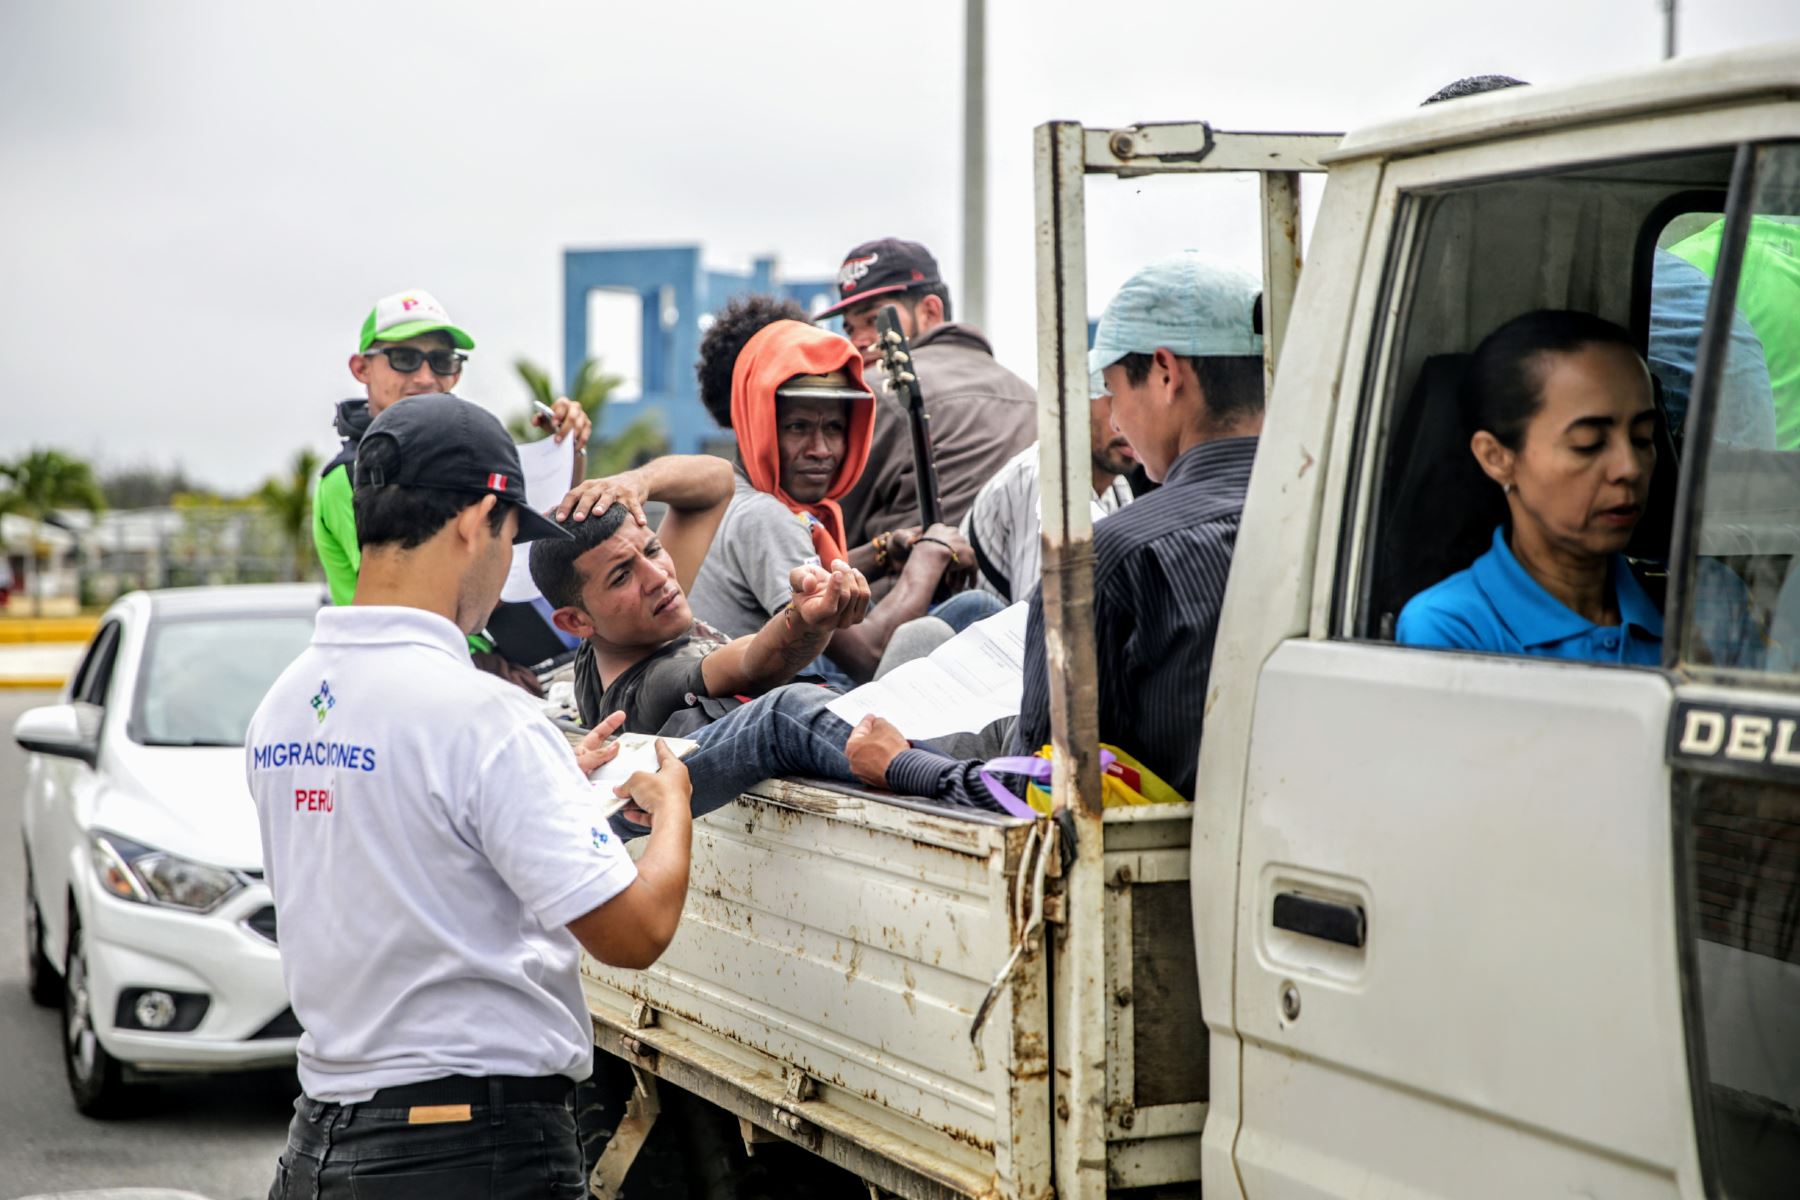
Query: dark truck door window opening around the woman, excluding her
{"points": [[1484, 255]]}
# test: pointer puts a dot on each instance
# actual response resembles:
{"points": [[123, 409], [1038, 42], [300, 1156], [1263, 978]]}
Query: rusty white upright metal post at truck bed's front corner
{"points": [[1079, 1037]]}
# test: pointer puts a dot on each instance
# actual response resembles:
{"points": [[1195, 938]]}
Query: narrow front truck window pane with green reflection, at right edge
{"points": [[1745, 586]]}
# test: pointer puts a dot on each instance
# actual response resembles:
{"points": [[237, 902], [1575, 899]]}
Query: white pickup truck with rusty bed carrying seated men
{"points": [[1439, 924]]}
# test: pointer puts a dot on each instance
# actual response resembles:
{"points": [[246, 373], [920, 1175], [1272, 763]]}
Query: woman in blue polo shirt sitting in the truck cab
{"points": [[1563, 416]]}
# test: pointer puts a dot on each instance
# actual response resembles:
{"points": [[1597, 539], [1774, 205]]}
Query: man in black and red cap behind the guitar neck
{"points": [[982, 415]]}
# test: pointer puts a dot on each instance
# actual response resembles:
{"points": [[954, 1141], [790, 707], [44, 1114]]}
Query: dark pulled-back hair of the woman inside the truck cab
{"points": [[1504, 384]]}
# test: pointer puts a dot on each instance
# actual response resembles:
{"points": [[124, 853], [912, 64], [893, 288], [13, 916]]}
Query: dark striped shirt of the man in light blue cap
{"points": [[1160, 578]]}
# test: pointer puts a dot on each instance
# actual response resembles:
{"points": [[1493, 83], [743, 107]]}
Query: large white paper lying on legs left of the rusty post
{"points": [[964, 686]]}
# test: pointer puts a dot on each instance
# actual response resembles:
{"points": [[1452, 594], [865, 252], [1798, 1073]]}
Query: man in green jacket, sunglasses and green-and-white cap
{"points": [[408, 348]]}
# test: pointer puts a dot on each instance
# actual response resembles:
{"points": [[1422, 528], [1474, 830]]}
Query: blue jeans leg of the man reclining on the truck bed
{"points": [[782, 733]]}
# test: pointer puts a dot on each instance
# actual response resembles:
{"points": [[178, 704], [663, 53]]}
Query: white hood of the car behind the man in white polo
{"points": [[192, 801]]}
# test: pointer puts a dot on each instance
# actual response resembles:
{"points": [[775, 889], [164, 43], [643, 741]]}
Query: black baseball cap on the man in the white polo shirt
{"points": [[453, 445]]}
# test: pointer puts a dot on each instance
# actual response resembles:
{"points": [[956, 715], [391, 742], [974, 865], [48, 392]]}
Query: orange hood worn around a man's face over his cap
{"points": [[778, 354]]}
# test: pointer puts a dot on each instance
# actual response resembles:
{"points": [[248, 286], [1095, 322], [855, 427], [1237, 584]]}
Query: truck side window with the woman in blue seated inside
{"points": [[1542, 260]]}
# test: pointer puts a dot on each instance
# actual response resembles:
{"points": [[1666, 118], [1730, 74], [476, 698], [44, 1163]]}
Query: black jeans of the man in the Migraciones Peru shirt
{"points": [[375, 1154]]}
